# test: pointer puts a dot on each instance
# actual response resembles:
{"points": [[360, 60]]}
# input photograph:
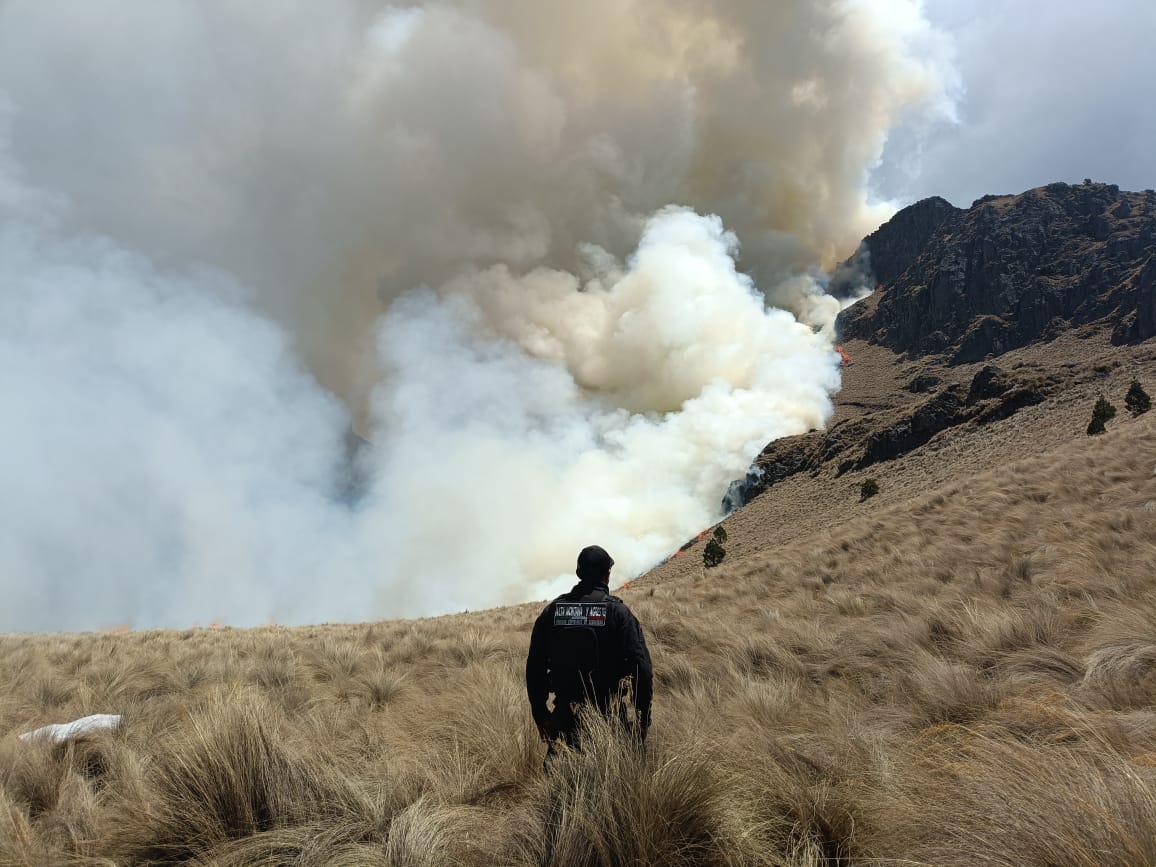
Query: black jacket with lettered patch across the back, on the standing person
{"points": [[554, 665]]}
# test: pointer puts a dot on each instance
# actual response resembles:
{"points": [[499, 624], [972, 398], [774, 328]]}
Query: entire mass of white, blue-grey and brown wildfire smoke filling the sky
{"points": [[455, 217]]}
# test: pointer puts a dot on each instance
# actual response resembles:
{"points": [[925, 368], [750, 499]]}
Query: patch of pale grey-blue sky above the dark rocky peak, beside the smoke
{"points": [[1057, 91]]}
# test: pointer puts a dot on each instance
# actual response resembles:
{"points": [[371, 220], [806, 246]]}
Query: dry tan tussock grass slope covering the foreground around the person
{"points": [[961, 671]]}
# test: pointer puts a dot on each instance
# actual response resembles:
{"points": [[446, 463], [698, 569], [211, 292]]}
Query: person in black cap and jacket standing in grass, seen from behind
{"points": [[586, 647]]}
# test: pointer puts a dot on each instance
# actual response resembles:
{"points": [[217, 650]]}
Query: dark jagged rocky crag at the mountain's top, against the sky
{"points": [[1011, 270]]}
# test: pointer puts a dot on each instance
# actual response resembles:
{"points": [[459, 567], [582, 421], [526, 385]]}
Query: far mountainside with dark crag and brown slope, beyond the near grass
{"points": [[920, 381]]}
